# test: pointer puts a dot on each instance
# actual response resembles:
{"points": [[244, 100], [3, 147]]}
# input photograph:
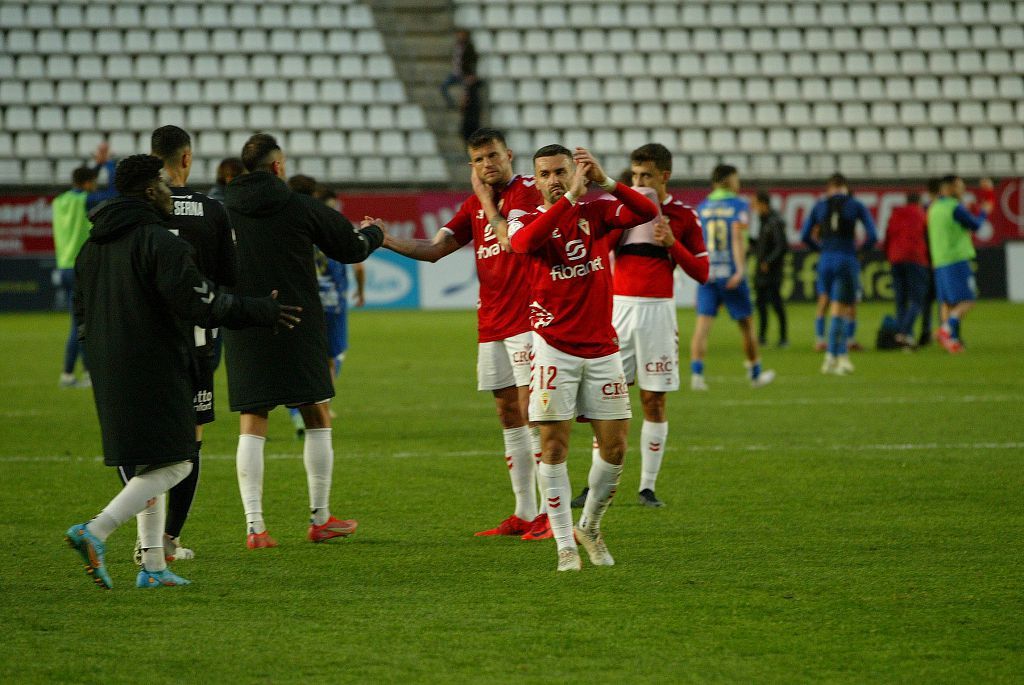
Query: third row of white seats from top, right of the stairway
{"points": [[741, 64]]}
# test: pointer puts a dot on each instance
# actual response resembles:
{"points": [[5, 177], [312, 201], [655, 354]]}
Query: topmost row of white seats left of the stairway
{"points": [[184, 17]]}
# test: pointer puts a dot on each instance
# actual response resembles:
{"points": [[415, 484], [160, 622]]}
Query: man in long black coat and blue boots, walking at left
{"points": [[138, 295]]}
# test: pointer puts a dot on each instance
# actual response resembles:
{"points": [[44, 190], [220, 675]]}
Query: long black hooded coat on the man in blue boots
{"points": [[138, 294]]}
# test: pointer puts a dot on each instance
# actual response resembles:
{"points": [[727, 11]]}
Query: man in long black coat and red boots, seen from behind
{"points": [[276, 232]]}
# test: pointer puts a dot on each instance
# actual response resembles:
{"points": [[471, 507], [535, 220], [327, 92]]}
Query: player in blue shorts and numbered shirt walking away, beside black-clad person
{"points": [[726, 218]]}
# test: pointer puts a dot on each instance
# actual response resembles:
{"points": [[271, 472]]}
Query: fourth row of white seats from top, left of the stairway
{"points": [[214, 92]]}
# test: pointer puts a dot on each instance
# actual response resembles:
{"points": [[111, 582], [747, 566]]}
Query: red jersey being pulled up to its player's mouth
{"points": [[644, 269]]}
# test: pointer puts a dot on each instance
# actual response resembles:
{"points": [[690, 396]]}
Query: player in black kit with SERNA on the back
{"points": [[203, 224]]}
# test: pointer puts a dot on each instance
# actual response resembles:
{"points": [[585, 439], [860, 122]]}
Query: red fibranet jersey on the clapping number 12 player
{"points": [[568, 248]]}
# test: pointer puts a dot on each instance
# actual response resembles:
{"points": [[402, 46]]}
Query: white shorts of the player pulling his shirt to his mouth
{"points": [[649, 338]]}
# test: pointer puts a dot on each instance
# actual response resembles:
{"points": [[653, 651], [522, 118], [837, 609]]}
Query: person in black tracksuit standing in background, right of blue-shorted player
{"points": [[771, 251]]}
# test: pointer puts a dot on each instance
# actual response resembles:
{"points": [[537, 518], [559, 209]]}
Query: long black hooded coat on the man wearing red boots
{"points": [[276, 231]]}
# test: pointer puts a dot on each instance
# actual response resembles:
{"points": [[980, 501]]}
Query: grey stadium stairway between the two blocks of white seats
{"points": [[419, 36]]}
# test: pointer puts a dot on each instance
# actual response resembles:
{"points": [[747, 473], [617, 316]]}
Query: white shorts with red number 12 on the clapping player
{"points": [[564, 387]]}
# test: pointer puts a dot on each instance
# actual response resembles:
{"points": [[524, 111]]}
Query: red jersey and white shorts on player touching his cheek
{"points": [[502, 318]]}
